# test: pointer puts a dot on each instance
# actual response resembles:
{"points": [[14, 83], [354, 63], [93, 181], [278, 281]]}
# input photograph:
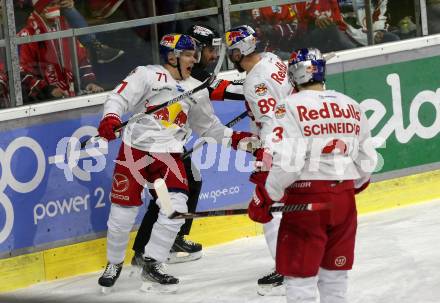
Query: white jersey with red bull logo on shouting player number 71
{"points": [[168, 129]]}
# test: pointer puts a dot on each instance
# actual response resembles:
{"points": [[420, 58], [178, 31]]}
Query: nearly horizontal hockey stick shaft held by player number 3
{"points": [[242, 211]]}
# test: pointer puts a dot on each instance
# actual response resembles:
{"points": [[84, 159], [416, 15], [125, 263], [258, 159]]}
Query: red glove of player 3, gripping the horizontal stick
{"points": [[259, 206]]}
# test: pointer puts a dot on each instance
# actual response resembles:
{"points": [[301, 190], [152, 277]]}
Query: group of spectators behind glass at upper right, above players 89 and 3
{"points": [[329, 25]]}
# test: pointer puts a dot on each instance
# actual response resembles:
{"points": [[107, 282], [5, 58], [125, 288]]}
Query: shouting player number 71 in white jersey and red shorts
{"points": [[151, 148]]}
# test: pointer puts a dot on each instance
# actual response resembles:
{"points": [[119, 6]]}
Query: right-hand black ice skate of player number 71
{"points": [[154, 280]]}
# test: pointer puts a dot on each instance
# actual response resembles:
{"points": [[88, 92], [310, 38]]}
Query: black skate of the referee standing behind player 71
{"points": [[184, 250]]}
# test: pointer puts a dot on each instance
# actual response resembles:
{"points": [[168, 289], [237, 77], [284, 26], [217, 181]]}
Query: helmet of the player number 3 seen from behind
{"points": [[306, 65]]}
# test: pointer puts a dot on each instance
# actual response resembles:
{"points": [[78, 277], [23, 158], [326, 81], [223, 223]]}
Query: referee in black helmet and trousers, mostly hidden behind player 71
{"points": [[184, 250]]}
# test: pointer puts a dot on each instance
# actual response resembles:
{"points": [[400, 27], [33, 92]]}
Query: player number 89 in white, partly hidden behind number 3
{"points": [[266, 82]]}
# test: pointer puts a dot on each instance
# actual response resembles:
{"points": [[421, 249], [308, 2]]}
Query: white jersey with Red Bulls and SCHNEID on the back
{"points": [[319, 135]]}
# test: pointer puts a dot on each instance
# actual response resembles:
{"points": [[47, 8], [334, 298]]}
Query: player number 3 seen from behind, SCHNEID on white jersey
{"points": [[322, 153]]}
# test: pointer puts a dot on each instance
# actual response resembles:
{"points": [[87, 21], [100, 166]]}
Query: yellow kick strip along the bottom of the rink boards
{"points": [[90, 256]]}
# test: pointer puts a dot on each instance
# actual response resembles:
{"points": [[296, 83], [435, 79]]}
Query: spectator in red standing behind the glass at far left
{"points": [[46, 66]]}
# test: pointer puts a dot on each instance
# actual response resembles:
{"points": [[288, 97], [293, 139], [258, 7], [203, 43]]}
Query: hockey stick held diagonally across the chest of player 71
{"points": [[180, 97]]}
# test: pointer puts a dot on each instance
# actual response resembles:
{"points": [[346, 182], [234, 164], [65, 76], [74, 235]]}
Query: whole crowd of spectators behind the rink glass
{"points": [[46, 67]]}
